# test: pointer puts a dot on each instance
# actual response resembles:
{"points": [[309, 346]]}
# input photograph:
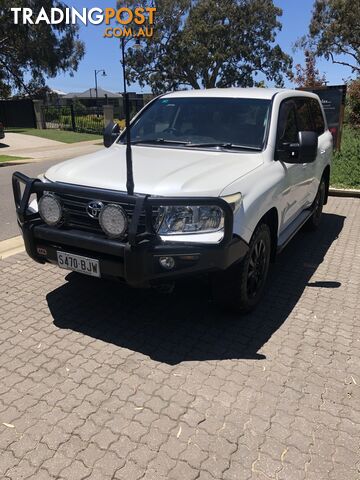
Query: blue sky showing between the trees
{"points": [[104, 53]]}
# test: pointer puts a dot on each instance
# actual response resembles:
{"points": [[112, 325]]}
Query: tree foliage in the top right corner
{"points": [[335, 31]]}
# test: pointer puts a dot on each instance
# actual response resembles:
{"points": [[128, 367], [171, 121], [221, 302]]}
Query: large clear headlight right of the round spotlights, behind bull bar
{"points": [[175, 220]]}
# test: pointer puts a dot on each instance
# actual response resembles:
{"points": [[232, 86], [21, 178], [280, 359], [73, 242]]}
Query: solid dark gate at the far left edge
{"points": [[17, 113]]}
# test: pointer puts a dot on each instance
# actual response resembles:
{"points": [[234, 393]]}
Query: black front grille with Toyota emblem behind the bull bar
{"points": [[76, 216]]}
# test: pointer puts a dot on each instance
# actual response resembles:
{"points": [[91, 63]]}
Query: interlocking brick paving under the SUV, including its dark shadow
{"points": [[99, 381]]}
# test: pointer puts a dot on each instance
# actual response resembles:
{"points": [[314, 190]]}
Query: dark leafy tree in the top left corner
{"points": [[35, 51]]}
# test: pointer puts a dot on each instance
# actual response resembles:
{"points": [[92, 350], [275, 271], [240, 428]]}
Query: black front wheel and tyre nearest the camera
{"points": [[241, 286]]}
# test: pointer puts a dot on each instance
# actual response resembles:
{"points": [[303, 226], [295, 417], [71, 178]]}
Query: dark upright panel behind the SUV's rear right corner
{"points": [[333, 101]]}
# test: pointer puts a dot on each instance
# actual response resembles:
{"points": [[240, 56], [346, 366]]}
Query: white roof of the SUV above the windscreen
{"points": [[235, 92]]}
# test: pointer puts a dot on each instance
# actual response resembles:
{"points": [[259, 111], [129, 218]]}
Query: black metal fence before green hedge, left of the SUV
{"points": [[81, 119]]}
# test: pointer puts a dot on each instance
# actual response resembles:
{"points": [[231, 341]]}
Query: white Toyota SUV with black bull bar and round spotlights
{"points": [[223, 180]]}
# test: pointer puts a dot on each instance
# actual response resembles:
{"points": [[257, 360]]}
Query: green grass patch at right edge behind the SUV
{"points": [[346, 163]]}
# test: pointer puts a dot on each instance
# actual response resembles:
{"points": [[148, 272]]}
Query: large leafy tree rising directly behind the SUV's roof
{"points": [[209, 43]]}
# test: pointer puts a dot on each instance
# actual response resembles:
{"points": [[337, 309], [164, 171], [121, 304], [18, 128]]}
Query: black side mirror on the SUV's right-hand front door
{"points": [[304, 151]]}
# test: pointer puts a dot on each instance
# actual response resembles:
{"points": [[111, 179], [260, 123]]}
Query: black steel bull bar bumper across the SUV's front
{"points": [[137, 260]]}
